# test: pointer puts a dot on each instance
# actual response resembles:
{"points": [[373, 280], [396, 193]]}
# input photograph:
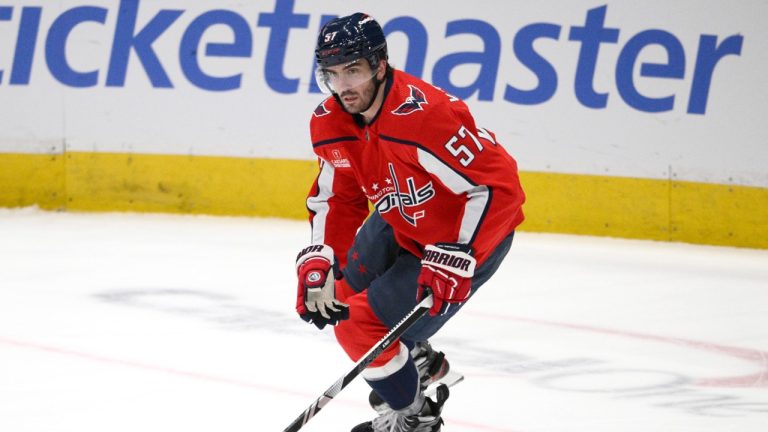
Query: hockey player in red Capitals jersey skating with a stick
{"points": [[447, 200]]}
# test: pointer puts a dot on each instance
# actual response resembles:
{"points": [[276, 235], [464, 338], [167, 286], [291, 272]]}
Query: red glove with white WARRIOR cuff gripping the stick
{"points": [[446, 270]]}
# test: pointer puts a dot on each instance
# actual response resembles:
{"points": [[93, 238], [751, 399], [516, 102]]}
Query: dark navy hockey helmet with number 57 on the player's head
{"points": [[350, 38]]}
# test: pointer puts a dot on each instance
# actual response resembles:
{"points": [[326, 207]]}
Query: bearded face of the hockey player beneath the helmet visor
{"points": [[354, 84]]}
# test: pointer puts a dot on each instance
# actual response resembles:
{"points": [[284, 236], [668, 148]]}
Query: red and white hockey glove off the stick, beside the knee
{"points": [[316, 298]]}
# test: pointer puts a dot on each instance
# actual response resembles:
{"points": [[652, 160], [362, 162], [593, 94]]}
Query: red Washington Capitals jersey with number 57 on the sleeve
{"points": [[424, 165]]}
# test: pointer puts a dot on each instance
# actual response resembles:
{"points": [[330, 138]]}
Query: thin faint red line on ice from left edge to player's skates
{"points": [[208, 377]]}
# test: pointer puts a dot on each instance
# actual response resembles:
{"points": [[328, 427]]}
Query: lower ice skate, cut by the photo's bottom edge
{"points": [[427, 419]]}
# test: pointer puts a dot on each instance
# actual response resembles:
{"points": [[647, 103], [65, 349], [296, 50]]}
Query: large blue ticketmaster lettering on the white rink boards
{"points": [[131, 44]]}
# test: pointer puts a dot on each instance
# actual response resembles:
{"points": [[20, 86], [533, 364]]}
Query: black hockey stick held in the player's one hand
{"points": [[417, 312]]}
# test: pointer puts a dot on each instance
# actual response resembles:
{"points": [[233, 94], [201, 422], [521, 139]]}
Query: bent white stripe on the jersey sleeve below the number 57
{"points": [[479, 195]]}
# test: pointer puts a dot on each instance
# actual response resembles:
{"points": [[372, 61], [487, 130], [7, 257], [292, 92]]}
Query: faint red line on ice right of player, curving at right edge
{"points": [[758, 379]]}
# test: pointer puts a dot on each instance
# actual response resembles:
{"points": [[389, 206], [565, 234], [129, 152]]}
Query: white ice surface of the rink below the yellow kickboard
{"points": [[127, 322]]}
